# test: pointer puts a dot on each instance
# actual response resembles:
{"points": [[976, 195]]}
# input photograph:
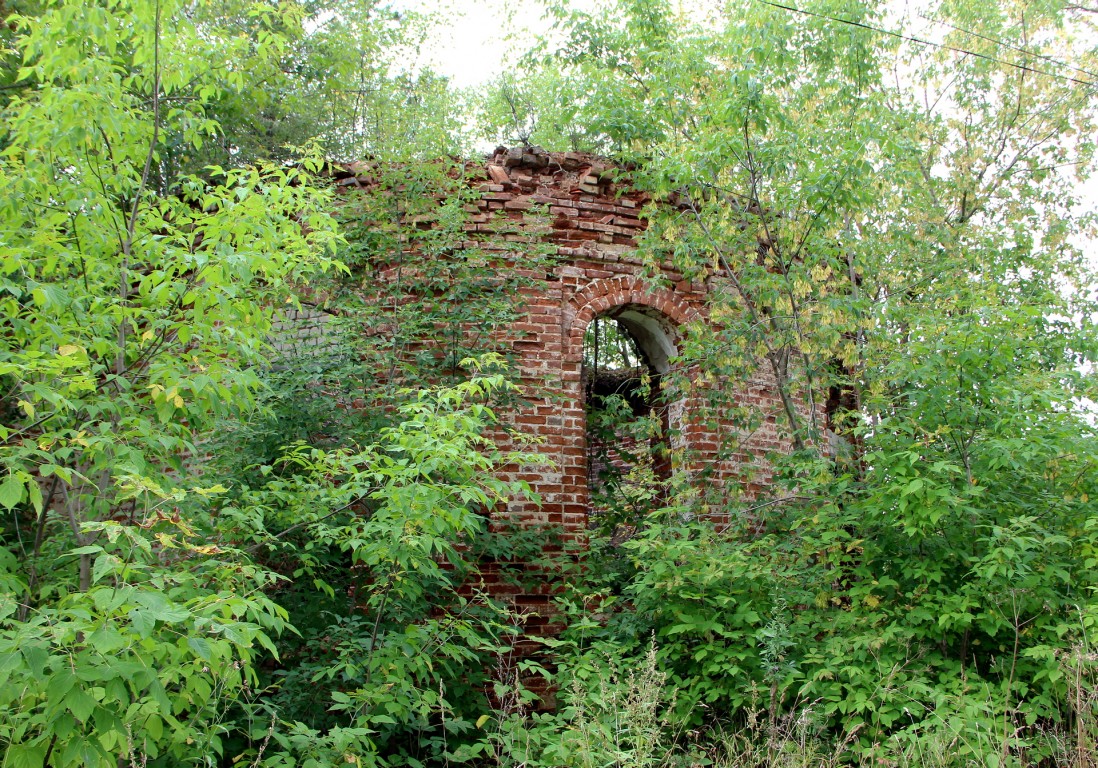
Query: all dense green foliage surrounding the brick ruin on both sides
{"points": [[216, 552]]}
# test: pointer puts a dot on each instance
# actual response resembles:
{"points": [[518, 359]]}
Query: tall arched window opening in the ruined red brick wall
{"points": [[626, 353]]}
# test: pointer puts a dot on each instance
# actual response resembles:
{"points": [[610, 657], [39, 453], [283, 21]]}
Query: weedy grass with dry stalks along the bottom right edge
{"points": [[621, 719]]}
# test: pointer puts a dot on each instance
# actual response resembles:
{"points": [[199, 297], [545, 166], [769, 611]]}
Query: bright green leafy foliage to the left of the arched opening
{"points": [[141, 594]]}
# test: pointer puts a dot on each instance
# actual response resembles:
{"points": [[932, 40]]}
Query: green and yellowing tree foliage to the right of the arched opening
{"points": [[920, 253]]}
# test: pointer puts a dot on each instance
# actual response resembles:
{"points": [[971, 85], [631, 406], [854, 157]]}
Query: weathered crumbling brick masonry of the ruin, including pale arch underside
{"points": [[593, 226]]}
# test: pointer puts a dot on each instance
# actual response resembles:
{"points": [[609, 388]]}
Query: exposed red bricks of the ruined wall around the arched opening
{"points": [[595, 272]]}
